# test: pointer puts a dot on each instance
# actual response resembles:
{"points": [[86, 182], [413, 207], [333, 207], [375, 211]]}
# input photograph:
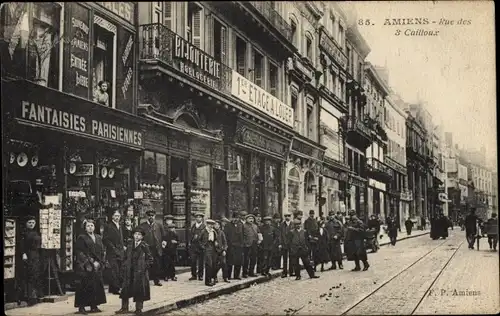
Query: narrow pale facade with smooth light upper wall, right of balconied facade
{"points": [[398, 194]]}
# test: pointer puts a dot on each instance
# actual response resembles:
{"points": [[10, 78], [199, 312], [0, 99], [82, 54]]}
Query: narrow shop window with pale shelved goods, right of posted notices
{"points": [[200, 189]]}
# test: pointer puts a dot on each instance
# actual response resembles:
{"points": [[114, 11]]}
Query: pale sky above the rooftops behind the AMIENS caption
{"points": [[453, 72]]}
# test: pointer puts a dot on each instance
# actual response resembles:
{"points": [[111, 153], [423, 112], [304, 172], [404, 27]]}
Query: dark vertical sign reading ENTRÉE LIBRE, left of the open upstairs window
{"points": [[77, 67]]}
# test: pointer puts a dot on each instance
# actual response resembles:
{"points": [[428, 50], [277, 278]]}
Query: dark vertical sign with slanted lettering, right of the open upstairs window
{"points": [[125, 70]]}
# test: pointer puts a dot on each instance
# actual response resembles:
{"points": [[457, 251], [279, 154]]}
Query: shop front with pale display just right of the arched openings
{"points": [[333, 187]]}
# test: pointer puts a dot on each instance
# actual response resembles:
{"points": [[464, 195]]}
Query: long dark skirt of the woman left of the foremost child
{"points": [[90, 290]]}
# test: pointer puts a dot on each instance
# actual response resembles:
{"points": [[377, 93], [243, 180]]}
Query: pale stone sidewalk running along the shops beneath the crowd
{"points": [[172, 295]]}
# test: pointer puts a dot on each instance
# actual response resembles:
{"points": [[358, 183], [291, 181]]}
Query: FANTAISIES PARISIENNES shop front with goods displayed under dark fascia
{"points": [[75, 153]]}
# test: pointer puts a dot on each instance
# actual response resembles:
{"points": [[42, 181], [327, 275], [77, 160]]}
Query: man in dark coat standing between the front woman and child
{"points": [[115, 251]]}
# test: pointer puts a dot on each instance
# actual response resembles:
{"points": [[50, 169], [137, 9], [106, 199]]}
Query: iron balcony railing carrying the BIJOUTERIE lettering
{"points": [[160, 43]]}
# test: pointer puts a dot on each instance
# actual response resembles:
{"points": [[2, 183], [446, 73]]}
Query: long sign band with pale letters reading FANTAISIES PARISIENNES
{"points": [[74, 120]]}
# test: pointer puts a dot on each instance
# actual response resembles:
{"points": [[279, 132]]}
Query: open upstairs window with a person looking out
{"points": [[104, 61]]}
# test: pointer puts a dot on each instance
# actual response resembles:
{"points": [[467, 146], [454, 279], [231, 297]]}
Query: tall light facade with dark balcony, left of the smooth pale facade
{"points": [[379, 175]]}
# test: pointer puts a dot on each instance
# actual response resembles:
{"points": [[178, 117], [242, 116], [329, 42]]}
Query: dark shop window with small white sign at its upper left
{"points": [[238, 190]]}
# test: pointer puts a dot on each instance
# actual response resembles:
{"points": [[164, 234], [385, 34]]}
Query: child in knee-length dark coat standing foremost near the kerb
{"points": [[137, 263]]}
